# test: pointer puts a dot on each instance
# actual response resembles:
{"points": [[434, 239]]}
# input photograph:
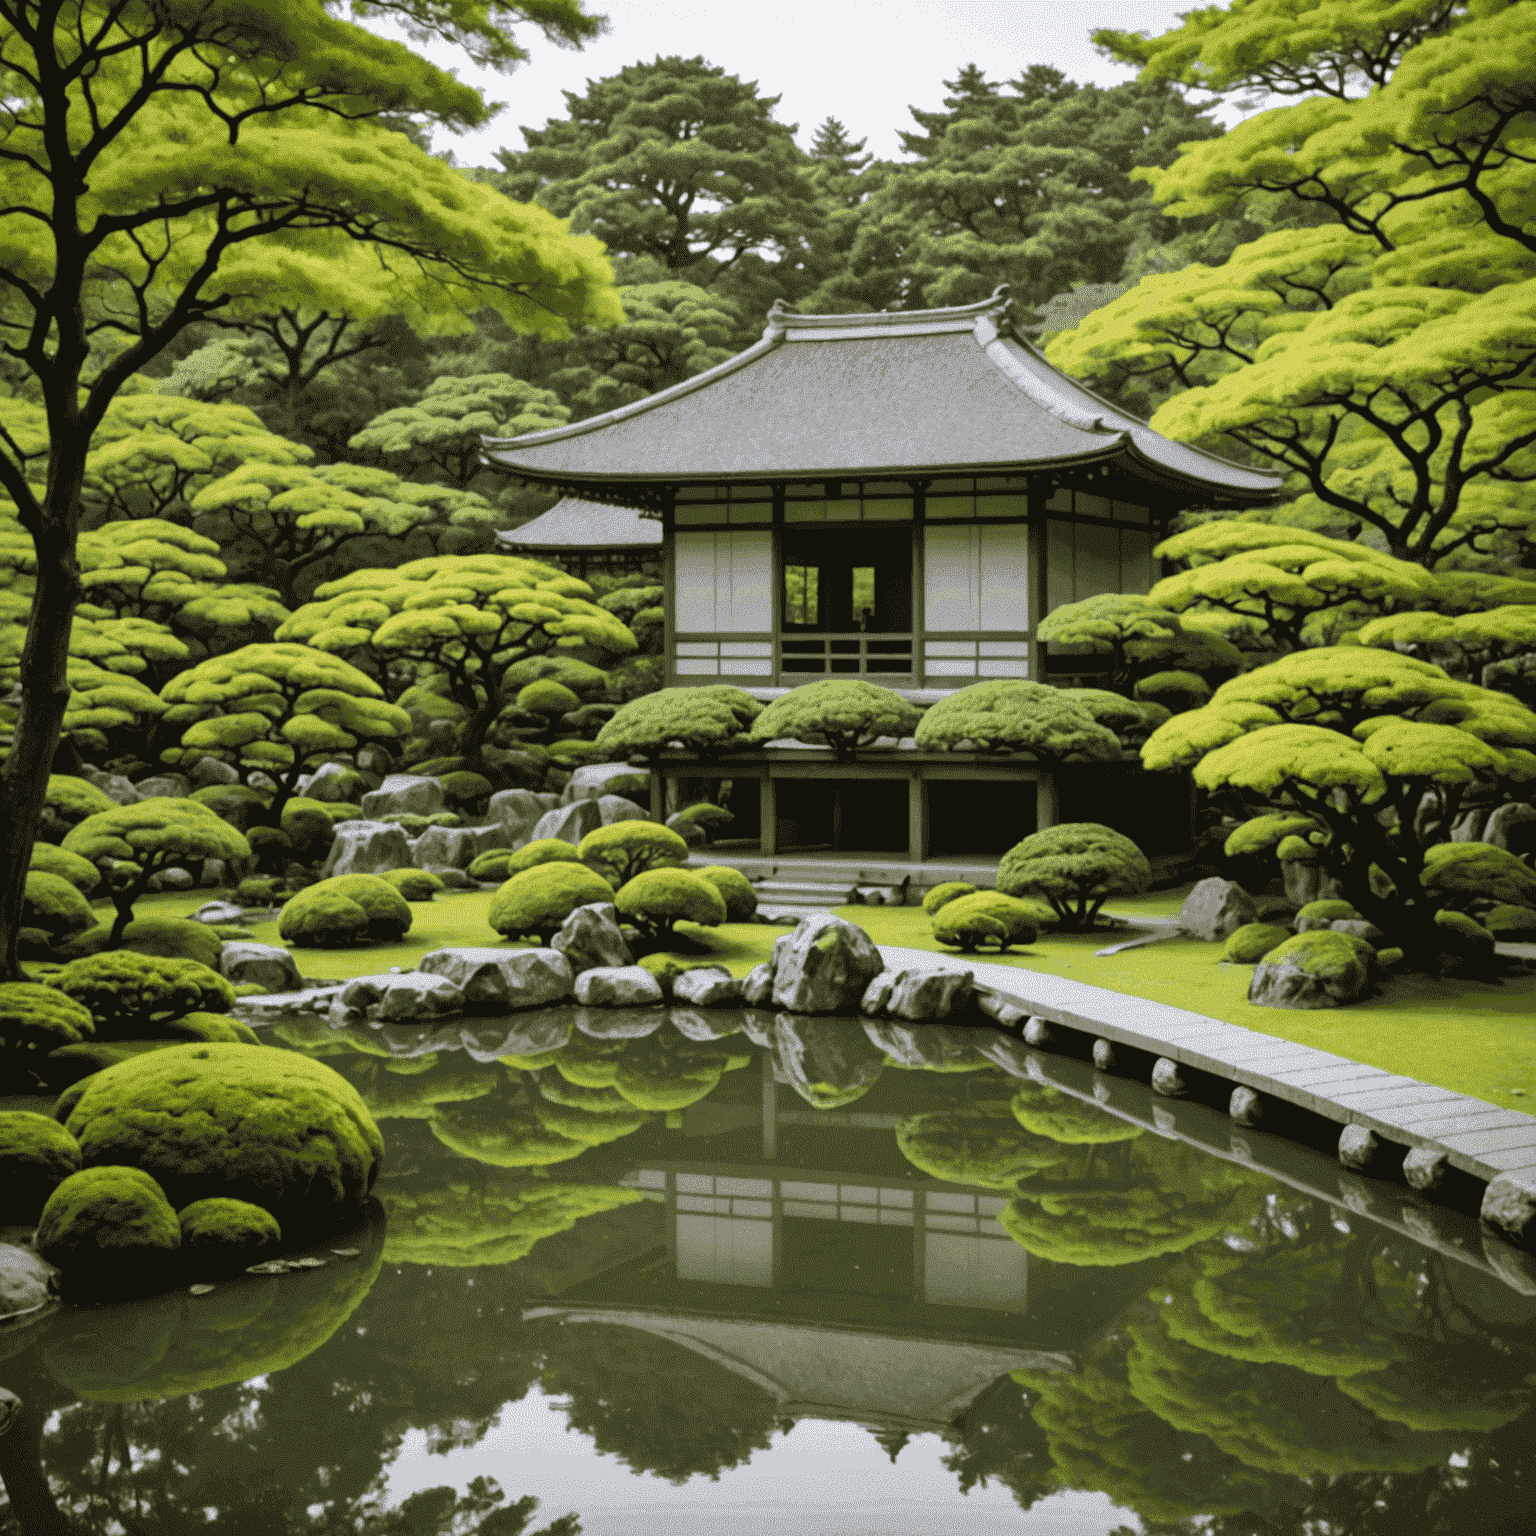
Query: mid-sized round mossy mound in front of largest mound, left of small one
{"points": [[110, 1230]]}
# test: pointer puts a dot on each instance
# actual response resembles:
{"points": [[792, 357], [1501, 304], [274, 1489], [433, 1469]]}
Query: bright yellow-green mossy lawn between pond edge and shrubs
{"points": [[1466, 1036]]}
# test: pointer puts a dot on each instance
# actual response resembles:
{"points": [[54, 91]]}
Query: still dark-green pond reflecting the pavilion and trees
{"points": [[737, 1274]]}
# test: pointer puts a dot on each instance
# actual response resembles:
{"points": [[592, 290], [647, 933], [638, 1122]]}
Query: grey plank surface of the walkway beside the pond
{"points": [[1477, 1137]]}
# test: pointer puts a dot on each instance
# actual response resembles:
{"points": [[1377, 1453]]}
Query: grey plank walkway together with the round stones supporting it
{"points": [[1391, 1127]]}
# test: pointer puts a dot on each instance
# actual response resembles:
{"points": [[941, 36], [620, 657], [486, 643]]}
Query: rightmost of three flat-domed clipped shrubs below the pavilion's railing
{"points": [[1016, 718]]}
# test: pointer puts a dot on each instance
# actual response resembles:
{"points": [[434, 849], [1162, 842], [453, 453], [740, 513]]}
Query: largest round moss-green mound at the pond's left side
{"points": [[268, 1127]]}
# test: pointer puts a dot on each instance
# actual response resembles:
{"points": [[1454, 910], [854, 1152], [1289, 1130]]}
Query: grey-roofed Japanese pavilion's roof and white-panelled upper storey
{"points": [[901, 497]]}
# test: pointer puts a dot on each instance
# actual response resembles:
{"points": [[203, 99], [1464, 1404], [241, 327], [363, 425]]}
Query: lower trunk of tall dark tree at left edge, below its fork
{"points": [[45, 694]]}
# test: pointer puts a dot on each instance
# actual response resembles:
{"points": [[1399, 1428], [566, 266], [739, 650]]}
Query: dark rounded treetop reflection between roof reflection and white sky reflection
{"points": [[655, 1405]]}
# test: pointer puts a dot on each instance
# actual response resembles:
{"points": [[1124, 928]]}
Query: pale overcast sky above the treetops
{"points": [[859, 61]]}
